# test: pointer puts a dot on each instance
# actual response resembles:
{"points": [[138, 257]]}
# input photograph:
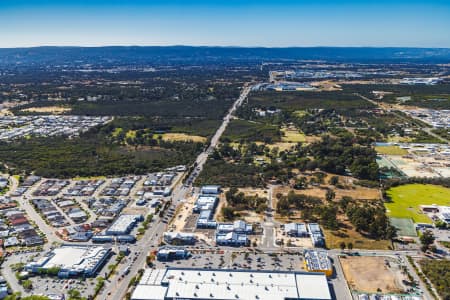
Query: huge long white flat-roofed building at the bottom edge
{"points": [[187, 283]]}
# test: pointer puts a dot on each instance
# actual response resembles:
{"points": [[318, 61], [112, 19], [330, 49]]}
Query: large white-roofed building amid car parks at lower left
{"points": [[72, 260]]}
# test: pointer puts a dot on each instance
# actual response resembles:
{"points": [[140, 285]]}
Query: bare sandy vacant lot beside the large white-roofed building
{"points": [[370, 273]]}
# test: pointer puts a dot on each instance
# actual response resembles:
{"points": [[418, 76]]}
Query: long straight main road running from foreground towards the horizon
{"points": [[117, 286]]}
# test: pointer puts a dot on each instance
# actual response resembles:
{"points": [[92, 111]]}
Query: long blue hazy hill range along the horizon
{"points": [[186, 54]]}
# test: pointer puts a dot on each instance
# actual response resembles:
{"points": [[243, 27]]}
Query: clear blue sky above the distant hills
{"points": [[279, 23]]}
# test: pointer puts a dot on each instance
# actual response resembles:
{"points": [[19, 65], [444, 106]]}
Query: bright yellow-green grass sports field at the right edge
{"points": [[406, 200]]}
